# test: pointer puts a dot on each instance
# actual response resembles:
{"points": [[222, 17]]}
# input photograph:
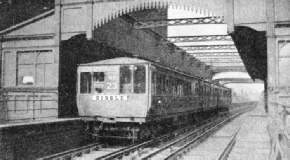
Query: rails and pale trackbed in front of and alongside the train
{"points": [[169, 146]]}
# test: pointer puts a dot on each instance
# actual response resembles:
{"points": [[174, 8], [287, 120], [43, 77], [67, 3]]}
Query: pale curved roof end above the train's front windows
{"points": [[119, 60]]}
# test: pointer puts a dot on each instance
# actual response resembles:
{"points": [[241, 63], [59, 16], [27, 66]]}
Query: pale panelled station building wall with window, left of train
{"points": [[29, 79]]}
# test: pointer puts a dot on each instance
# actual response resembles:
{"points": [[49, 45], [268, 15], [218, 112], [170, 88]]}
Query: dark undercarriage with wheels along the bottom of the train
{"points": [[136, 132]]}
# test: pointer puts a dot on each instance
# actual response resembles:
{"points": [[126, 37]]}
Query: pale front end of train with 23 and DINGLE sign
{"points": [[114, 95]]}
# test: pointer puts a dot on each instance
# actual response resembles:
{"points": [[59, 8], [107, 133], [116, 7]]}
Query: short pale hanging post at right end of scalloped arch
{"points": [[230, 16]]}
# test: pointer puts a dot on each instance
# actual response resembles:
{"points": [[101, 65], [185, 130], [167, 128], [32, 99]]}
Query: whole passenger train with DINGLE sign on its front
{"points": [[135, 98]]}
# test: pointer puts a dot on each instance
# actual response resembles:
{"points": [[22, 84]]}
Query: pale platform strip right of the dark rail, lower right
{"points": [[253, 140]]}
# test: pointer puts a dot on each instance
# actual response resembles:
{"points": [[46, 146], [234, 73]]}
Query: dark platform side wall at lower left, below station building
{"points": [[31, 141]]}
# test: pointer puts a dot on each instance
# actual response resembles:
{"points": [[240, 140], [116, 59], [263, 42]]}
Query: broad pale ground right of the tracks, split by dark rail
{"points": [[252, 140]]}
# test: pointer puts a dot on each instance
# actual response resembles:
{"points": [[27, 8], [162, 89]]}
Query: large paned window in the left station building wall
{"points": [[35, 68]]}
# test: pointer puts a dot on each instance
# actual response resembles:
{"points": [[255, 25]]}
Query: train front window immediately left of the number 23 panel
{"points": [[98, 79]]}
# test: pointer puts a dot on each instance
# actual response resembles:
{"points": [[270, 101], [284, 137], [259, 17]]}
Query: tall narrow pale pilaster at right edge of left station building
{"points": [[57, 39]]}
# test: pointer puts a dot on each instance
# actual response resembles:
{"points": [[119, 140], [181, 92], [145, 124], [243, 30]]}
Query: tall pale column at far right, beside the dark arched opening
{"points": [[271, 58]]}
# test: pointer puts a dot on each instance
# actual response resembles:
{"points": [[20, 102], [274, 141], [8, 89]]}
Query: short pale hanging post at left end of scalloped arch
{"points": [[89, 19]]}
